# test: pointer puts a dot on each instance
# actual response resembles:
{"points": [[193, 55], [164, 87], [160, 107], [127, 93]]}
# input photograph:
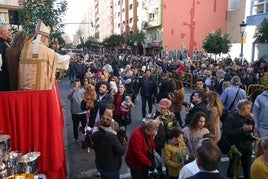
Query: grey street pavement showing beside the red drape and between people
{"points": [[80, 162]]}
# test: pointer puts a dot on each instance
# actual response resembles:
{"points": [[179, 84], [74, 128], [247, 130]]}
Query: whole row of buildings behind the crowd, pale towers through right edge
{"points": [[184, 24]]}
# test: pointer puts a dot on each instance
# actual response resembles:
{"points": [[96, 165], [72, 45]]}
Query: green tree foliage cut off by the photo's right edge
{"points": [[261, 35]]}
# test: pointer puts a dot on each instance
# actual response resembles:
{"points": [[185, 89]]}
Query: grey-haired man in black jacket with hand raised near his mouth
{"points": [[236, 130]]}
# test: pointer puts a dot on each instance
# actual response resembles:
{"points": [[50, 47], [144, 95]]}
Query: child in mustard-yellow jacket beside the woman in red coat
{"points": [[175, 153]]}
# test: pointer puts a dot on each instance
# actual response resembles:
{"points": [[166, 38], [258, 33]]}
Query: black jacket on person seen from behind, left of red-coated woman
{"points": [[108, 150]]}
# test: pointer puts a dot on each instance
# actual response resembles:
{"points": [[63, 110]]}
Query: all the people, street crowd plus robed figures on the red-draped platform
{"points": [[106, 86]]}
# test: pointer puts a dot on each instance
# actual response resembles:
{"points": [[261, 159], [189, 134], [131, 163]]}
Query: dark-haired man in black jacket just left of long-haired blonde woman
{"points": [[198, 100]]}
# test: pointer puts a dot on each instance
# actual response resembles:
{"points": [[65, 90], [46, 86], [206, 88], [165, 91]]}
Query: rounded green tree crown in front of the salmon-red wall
{"points": [[217, 43]]}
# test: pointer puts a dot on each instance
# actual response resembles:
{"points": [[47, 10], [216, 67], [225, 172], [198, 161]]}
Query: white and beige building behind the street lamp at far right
{"points": [[252, 12]]}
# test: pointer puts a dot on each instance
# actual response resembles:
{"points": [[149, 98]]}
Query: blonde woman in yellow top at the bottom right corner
{"points": [[259, 168]]}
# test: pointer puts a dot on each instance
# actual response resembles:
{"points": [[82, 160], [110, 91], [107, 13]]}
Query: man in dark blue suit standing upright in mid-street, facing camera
{"points": [[148, 90]]}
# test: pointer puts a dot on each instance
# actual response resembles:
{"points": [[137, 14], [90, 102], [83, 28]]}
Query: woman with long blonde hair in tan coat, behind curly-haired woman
{"points": [[215, 108]]}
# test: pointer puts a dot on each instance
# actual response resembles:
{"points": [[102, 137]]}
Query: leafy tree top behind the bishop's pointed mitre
{"points": [[49, 11]]}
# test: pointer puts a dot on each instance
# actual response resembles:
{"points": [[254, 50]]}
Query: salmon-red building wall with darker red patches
{"points": [[186, 23]]}
